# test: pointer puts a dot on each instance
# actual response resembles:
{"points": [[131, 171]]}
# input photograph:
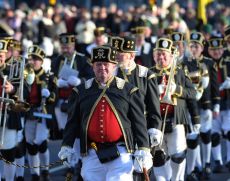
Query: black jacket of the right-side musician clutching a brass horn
{"points": [[211, 94]]}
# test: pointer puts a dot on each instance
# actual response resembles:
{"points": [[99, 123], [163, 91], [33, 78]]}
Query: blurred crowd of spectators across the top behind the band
{"points": [[42, 24]]}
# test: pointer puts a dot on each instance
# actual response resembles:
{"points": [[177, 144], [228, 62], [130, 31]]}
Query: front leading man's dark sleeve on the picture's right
{"points": [[138, 121]]}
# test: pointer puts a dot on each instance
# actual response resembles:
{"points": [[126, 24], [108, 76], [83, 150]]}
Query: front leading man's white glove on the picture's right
{"points": [[143, 159]]}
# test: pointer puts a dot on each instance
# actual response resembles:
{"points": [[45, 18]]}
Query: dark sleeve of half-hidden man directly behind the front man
{"points": [[153, 115]]}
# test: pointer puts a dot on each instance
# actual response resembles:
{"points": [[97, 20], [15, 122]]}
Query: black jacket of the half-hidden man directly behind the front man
{"points": [[145, 80]]}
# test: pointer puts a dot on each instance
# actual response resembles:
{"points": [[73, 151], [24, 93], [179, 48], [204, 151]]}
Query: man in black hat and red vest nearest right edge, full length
{"points": [[220, 124]]}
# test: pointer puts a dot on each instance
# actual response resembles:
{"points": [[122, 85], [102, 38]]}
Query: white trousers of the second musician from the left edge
{"points": [[36, 132]]}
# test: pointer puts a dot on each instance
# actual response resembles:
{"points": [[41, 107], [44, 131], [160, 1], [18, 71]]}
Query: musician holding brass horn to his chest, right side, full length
{"points": [[203, 72]]}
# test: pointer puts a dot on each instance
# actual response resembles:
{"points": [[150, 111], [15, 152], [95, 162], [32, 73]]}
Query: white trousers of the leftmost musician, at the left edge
{"points": [[8, 139]]}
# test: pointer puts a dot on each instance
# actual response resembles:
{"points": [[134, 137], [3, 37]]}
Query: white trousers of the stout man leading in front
{"points": [[120, 169]]}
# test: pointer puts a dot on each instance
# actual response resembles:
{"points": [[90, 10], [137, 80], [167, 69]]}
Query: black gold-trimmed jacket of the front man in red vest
{"points": [[126, 104]]}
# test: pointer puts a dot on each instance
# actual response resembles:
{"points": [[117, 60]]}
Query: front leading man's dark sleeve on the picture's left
{"points": [[72, 130]]}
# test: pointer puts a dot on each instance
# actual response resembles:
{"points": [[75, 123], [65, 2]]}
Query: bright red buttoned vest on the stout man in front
{"points": [[103, 125]]}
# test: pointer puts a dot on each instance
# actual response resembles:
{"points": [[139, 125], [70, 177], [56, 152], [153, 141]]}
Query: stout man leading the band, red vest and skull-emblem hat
{"points": [[102, 103]]}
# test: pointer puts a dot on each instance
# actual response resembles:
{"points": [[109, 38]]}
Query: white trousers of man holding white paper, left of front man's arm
{"points": [[60, 116]]}
